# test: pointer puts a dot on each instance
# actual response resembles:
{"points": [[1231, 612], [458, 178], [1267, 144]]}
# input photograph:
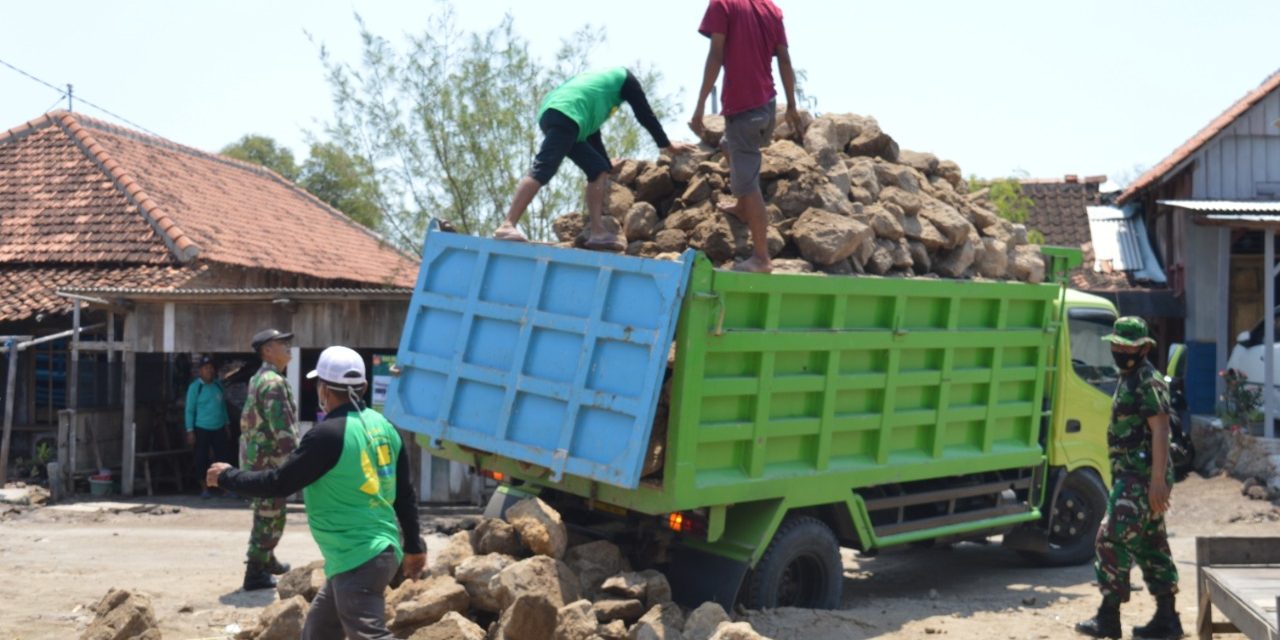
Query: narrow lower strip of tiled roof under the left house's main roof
{"points": [[31, 290]]}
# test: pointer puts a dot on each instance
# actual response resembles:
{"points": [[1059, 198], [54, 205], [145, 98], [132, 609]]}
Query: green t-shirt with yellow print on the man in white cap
{"points": [[350, 509]]}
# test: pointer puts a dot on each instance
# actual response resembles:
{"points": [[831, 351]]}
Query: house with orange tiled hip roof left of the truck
{"points": [[122, 255]]}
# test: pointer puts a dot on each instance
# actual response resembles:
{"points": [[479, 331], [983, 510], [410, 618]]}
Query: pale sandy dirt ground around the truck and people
{"points": [[188, 556]]}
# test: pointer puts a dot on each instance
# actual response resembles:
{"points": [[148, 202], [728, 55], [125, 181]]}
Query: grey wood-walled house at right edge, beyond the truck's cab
{"points": [[1214, 208]]}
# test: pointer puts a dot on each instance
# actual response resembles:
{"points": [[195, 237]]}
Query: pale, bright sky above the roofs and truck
{"points": [[1031, 88]]}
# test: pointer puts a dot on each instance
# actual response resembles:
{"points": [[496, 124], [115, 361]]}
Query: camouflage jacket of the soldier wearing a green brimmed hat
{"points": [[1140, 396]]}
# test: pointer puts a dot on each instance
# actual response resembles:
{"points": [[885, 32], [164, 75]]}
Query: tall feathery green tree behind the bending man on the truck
{"points": [[449, 122]]}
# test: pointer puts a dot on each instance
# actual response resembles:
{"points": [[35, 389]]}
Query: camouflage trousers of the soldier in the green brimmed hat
{"points": [[1132, 534]]}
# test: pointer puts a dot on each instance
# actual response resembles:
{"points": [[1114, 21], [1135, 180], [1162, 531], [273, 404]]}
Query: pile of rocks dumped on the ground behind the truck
{"points": [[519, 579]]}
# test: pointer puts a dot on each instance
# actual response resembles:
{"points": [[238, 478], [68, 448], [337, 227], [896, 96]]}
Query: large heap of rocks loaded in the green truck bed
{"points": [[842, 200]]}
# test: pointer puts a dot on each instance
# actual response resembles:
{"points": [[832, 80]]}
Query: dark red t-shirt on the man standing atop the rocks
{"points": [[753, 31]]}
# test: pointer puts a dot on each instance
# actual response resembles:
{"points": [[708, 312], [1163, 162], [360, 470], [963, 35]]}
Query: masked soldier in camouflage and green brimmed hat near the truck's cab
{"points": [[1141, 481]]}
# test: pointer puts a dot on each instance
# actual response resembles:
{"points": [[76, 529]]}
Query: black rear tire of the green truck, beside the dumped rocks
{"points": [[801, 569]]}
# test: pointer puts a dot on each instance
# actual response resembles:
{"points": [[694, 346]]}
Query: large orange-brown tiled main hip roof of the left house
{"points": [[171, 204]]}
